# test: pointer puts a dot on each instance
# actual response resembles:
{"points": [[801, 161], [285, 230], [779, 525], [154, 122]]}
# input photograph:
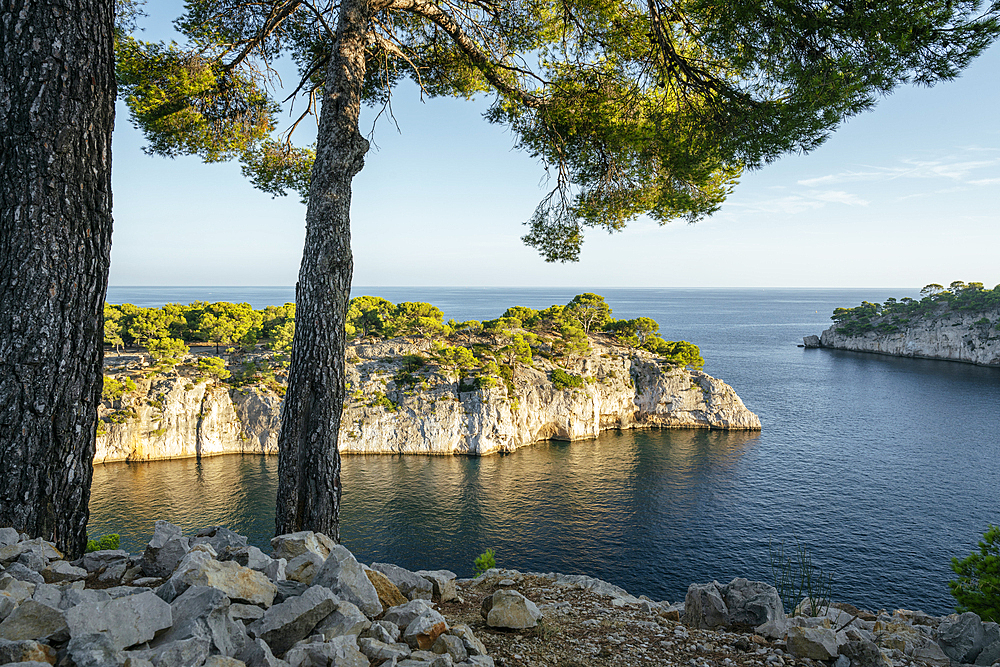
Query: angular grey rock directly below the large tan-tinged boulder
{"points": [[203, 612]]}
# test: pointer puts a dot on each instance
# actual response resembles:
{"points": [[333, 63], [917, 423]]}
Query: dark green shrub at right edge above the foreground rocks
{"points": [[977, 587]]}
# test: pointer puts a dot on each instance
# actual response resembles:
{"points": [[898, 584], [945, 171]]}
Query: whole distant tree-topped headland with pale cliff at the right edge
{"points": [[957, 324]]}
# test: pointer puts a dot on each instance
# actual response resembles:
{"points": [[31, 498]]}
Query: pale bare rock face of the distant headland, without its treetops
{"points": [[970, 337]]}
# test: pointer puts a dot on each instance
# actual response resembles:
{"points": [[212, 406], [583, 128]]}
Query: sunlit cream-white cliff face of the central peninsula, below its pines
{"points": [[433, 409]]}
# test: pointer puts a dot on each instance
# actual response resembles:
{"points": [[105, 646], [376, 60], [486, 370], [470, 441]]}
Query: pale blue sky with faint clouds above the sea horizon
{"points": [[902, 196]]}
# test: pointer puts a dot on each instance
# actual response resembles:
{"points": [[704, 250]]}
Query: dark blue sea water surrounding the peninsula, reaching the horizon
{"points": [[884, 468]]}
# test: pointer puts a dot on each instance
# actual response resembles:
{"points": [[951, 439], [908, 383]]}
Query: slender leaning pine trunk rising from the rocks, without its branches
{"points": [[308, 459]]}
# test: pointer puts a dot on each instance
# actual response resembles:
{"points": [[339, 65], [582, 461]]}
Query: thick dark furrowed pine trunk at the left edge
{"points": [[57, 93]]}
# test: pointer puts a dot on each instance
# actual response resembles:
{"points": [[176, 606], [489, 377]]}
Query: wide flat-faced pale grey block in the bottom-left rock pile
{"points": [[126, 621]]}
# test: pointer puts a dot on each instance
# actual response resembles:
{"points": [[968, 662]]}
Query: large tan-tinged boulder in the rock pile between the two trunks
{"points": [[240, 583]]}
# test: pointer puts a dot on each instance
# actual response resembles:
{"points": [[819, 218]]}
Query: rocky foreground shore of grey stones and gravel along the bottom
{"points": [[211, 599]]}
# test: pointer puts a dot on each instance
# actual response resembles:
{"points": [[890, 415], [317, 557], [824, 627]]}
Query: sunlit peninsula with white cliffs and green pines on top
{"points": [[418, 385]]}
